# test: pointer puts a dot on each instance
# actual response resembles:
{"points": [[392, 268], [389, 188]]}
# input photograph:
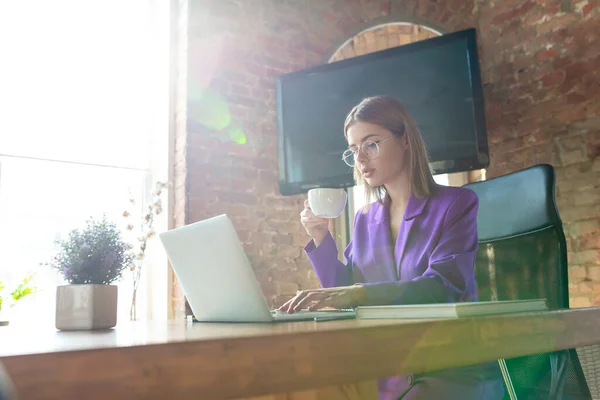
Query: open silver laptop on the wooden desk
{"points": [[217, 278]]}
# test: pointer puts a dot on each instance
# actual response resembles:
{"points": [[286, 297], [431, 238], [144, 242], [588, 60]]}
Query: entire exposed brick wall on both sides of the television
{"points": [[538, 60]]}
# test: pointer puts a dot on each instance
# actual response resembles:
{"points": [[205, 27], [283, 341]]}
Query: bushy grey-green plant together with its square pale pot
{"points": [[90, 259]]}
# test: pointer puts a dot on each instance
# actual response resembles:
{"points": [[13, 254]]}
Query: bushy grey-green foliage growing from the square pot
{"points": [[94, 255]]}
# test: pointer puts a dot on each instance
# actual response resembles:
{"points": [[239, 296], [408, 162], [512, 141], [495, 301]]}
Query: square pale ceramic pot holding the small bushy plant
{"points": [[86, 307]]}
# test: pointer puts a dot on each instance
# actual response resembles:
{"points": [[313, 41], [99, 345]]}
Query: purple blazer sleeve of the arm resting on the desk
{"points": [[450, 276]]}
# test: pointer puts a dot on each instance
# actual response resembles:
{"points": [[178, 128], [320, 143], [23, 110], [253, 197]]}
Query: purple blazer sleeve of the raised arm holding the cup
{"points": [[329, 269]]}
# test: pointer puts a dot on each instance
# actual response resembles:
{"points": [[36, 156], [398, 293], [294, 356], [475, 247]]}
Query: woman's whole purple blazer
{"points": [[435, 251]]}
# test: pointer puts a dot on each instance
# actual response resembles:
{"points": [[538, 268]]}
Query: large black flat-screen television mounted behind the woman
{"points": [[437, 79]]}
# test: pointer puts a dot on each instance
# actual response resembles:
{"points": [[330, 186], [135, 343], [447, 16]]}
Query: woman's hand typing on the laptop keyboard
{"points": [[335, 297]]}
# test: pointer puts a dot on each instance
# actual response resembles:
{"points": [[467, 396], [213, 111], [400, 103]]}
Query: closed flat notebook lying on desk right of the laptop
{"points": [[450, 310]]}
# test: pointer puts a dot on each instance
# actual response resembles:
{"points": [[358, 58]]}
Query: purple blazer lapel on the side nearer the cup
{"points": [[381, 244]]}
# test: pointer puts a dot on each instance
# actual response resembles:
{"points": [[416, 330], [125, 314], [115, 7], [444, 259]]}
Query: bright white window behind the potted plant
{"points": [[83, 127]]}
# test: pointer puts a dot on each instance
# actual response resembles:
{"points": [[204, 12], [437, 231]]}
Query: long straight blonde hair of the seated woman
{"points": [[390, 114]]}
